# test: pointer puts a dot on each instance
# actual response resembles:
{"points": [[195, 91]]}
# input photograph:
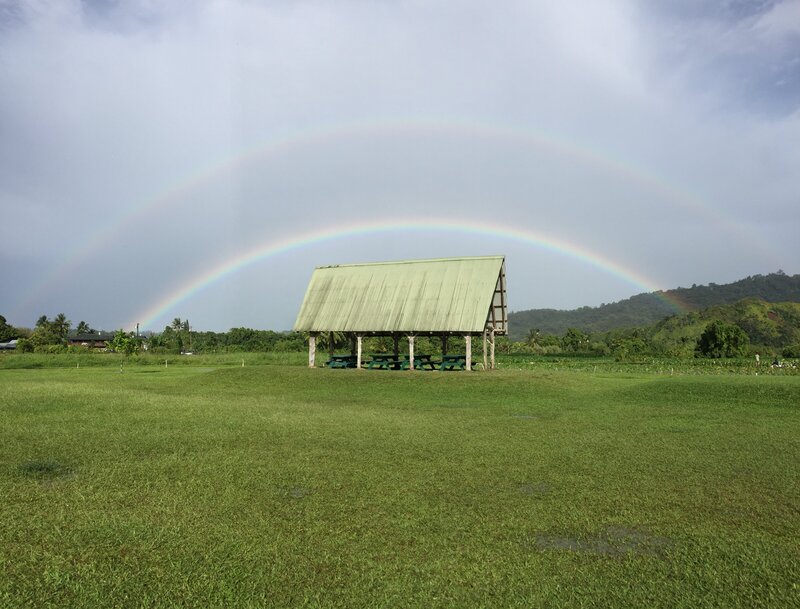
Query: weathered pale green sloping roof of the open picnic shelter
{"points": [[456, 295]]}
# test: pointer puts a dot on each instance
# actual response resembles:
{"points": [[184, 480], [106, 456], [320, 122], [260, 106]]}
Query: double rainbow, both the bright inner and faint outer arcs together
{"points": [[177, 193]]}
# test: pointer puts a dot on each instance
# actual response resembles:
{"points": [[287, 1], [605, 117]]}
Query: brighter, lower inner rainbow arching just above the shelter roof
{"points": [[165, 304]]}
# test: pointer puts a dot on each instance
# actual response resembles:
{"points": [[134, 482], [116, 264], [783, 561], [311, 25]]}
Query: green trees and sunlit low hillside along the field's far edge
{"points": [[745, 328]]}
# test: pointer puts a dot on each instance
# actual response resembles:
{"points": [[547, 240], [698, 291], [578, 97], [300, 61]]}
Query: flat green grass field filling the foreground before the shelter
{"points": [[278, 486]]}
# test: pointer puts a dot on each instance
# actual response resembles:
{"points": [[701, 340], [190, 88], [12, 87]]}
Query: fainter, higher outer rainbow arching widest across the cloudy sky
{"points": [[177, 192]]}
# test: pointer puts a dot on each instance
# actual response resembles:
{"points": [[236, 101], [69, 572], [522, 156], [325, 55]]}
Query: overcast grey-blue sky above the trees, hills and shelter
{"points": [[606, 146]]}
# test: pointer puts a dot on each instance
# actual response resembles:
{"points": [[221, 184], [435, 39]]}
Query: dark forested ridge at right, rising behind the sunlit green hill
{"points": [[647, 309]]}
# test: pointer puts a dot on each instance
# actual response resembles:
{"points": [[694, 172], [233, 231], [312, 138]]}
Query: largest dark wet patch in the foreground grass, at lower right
{"points": [[615, 541]]}
